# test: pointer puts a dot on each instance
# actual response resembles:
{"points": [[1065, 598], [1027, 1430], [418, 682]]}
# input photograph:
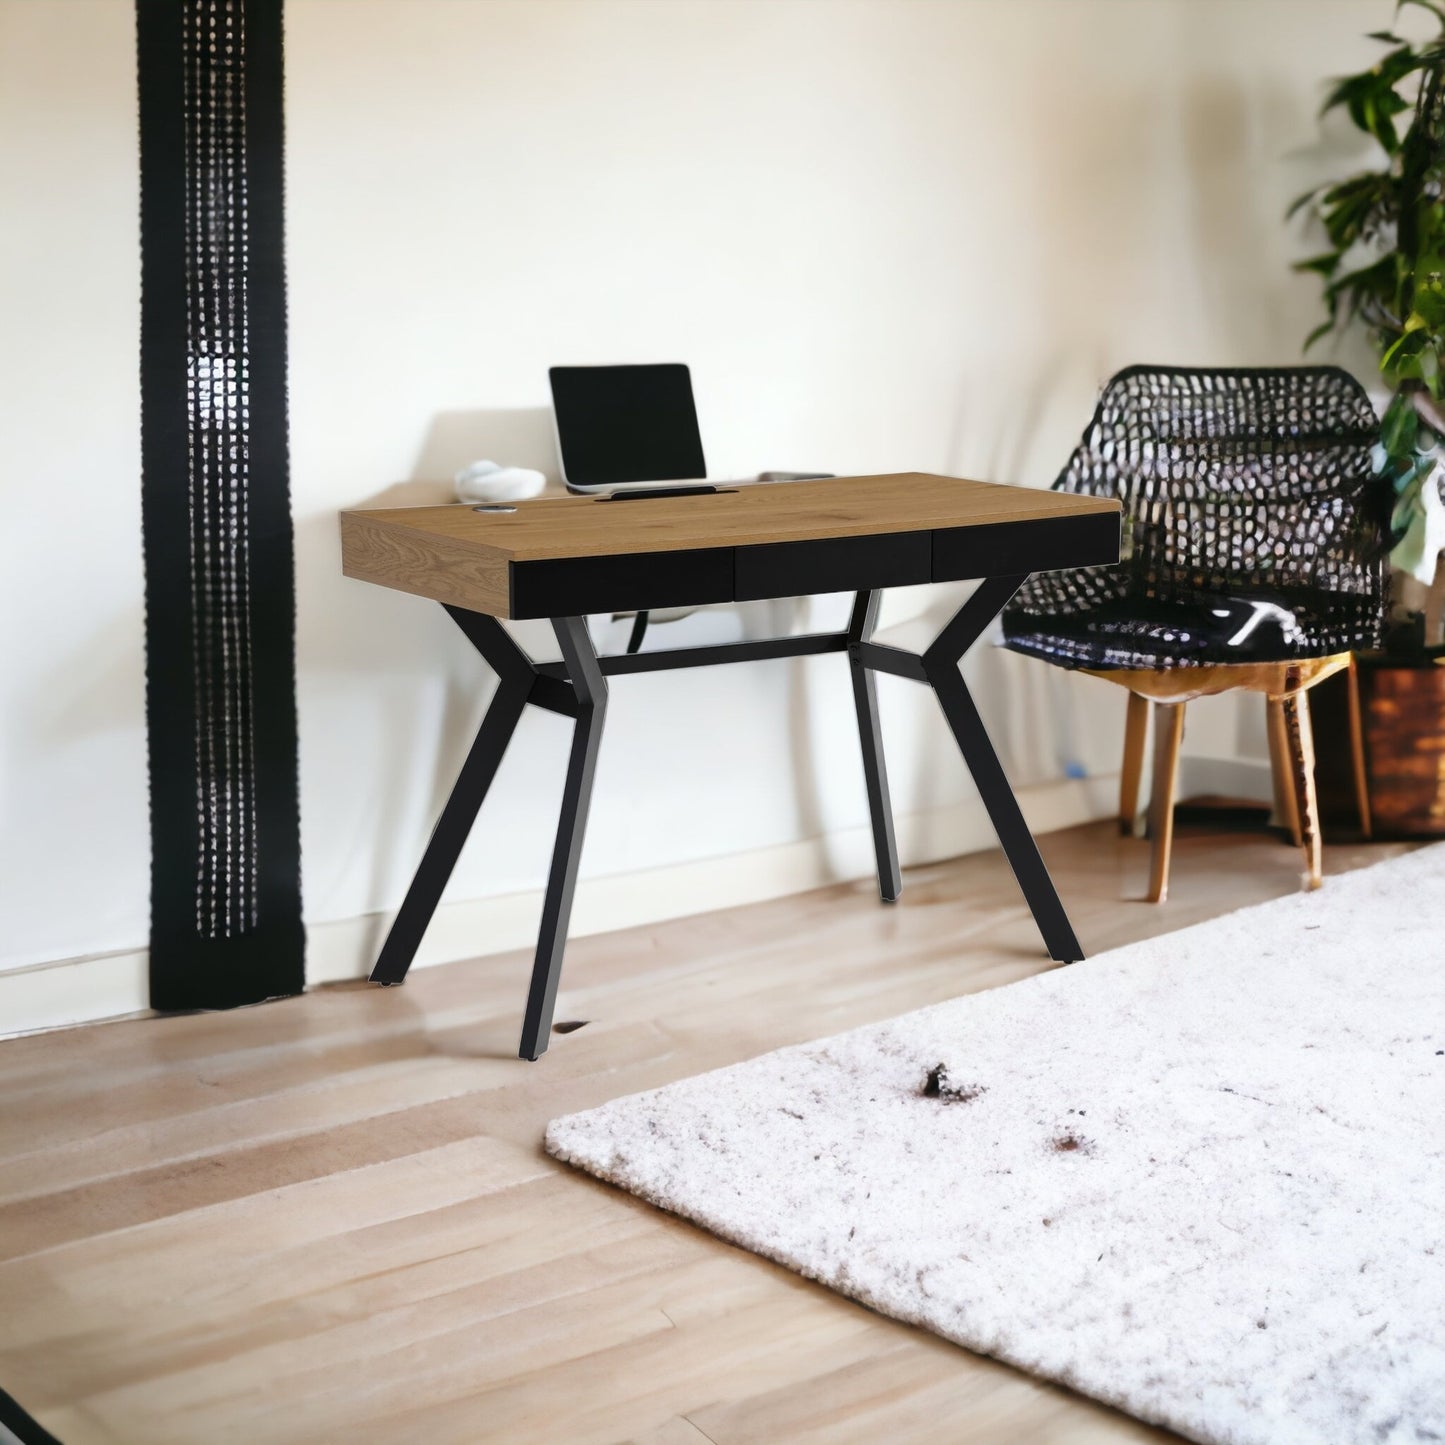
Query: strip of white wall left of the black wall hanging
{"points": [[74, 855]]}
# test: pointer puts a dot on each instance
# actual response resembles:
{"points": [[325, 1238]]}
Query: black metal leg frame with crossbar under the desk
{"points": [[577, 689]]}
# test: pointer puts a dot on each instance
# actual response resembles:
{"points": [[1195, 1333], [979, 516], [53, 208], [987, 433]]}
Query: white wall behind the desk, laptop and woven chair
{"points": [[885, 236]]}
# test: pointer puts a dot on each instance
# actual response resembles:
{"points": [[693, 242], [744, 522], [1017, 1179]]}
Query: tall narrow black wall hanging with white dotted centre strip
{"points": [[216, 514]]}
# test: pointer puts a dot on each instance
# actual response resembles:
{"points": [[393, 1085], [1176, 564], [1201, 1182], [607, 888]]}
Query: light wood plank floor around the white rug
{"points": [[330, 1219]]}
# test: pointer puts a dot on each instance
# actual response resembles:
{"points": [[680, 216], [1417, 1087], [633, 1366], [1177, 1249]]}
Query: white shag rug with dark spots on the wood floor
{"points": [[1200, 1178]]}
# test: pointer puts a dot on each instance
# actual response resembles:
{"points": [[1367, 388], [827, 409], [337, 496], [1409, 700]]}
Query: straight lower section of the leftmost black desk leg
{"points": [[452, 830]]}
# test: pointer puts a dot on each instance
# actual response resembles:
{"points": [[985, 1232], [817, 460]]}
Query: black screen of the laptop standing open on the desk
{"points": [[618, 424]]}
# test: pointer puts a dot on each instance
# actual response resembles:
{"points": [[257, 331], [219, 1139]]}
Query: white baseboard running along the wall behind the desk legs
{"points": [[85, 991]]}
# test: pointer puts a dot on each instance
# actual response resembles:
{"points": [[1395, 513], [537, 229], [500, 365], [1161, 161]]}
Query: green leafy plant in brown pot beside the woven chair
{"points": [[1385, 271]]}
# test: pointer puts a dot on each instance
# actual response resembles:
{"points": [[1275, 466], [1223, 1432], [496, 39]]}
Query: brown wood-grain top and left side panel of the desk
{"points": [[470, 558]]}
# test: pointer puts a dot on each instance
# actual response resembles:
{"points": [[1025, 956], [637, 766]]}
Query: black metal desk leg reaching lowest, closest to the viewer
{"points": [[590, 689]]}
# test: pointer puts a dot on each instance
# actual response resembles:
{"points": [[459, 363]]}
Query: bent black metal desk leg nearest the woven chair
{"points": [[941, 667]]}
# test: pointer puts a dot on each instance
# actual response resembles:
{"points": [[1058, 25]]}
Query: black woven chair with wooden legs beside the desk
{"points": [[1252, 557]]}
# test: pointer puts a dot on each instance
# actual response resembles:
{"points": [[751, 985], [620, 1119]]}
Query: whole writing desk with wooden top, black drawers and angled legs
{"points": [[566, 557]]}
